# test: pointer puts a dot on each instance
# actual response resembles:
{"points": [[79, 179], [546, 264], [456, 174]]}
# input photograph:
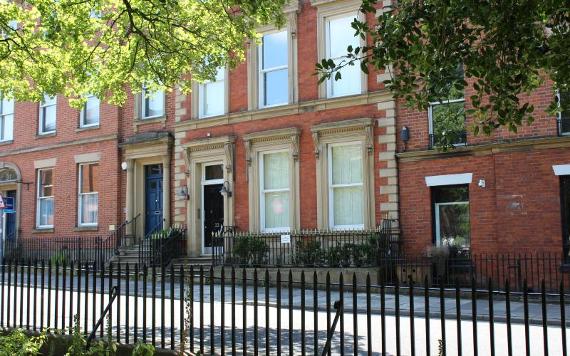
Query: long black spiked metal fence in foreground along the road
{"points": [[250, 311]]}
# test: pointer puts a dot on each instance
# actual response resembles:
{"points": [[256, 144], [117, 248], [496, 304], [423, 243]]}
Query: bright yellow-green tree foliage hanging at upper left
{"points": [[104, 47]]}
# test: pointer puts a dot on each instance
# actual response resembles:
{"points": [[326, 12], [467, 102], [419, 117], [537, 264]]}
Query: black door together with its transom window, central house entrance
{"points": [[212, 204]]}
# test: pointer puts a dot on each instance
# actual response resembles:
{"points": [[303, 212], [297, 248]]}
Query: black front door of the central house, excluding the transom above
{"points": [[213, 214]]}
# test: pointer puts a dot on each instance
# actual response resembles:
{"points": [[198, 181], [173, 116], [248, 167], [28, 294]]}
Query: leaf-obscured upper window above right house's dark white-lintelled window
{"points": [[449, 123]]}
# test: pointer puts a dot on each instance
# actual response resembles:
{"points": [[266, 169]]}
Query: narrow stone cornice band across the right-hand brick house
{"points": [[488, 149]]}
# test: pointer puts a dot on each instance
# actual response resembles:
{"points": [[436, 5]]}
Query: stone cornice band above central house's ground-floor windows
{"points": [[286, 110]]}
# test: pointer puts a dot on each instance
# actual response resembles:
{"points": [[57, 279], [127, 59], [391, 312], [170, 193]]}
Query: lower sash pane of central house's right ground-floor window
{"points": [[348, 205]]}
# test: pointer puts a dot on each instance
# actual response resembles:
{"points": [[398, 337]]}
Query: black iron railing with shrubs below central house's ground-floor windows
{"points": [[316, 248]]}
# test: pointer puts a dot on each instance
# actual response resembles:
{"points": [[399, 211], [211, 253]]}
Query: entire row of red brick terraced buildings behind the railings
{"points": [[287, 153]]}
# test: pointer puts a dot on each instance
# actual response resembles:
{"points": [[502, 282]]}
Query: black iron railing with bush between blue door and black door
{"points": [[161, 245]]}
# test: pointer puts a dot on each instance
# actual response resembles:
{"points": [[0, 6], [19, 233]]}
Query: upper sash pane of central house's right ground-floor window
{"points": [[346, 164]]}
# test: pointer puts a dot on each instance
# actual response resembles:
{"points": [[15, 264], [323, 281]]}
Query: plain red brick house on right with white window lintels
{"points": [[504, 193]]}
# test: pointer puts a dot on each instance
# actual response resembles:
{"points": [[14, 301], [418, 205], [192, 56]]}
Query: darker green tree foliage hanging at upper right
{"points": [[508, 49]]}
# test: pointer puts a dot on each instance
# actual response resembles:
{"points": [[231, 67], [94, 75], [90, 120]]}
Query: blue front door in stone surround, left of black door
{"points": [[153, 198]]}
